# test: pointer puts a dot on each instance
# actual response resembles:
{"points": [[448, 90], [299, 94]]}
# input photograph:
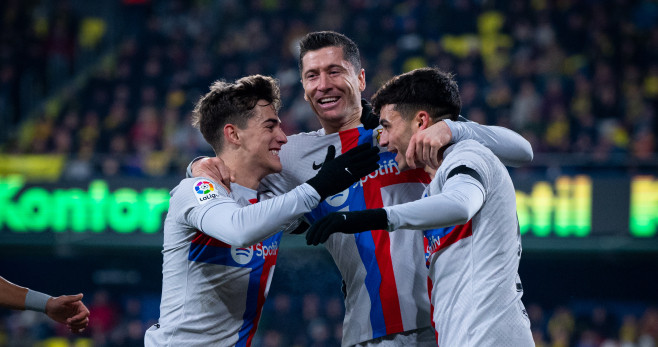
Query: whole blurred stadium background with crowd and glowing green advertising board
{"points": [[95, 100]]}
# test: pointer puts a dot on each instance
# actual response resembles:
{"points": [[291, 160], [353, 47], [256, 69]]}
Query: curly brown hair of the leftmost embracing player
{"points": [[232, 103]]}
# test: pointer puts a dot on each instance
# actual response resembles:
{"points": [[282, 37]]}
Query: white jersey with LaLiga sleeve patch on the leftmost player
{"points": [[212, 292]]}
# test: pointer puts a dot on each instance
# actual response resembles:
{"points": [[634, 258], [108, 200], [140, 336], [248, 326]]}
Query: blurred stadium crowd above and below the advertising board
{"points": [[110, 90]]}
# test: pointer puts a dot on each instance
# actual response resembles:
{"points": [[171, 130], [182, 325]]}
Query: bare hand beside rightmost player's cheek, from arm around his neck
{"points": [[426, 146]]}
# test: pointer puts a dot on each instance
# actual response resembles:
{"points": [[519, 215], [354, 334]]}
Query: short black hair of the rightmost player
{"points": [[428, 89]]}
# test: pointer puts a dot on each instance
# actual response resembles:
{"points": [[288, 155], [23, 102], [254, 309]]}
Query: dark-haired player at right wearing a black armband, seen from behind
{"points": [[476, 291]]}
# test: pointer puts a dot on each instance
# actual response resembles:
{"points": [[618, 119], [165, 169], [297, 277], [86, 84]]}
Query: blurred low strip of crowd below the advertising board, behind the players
{"points": [[314, 320]]}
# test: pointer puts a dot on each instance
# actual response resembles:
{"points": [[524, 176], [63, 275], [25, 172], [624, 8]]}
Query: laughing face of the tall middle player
{"points": [[333, 88]]}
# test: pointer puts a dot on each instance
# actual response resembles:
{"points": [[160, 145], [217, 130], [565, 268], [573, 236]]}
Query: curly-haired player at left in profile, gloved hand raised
{"points": [[220, 248]]}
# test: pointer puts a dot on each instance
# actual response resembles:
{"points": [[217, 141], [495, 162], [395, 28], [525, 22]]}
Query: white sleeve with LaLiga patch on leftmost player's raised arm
{"points": [[224, 219]]}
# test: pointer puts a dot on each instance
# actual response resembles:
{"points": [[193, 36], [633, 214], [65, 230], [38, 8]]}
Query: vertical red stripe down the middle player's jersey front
{"points": [[388, 290]]}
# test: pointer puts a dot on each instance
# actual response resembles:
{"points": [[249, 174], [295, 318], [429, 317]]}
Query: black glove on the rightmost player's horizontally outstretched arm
{"points": [[348, 223]]}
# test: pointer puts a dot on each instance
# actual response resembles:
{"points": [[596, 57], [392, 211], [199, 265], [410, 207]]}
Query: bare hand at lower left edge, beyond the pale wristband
{"points": [[70, 310]]}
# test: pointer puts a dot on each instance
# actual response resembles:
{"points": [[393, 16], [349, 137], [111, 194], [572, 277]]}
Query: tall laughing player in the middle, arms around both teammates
{"points": [[384, 273]]}
